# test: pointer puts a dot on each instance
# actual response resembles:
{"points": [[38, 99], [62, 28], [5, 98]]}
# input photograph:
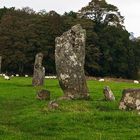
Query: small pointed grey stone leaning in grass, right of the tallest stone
{"points": [[109, 96]]}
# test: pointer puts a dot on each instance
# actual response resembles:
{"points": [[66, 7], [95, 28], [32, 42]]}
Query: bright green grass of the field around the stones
{"points": [[22, 117]]}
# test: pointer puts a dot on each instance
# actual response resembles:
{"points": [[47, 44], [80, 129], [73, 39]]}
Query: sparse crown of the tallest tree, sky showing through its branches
{"points": [[102, 12]]}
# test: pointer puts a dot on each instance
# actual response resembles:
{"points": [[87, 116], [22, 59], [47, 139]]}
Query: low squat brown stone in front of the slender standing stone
{"points": [[43, 95]]}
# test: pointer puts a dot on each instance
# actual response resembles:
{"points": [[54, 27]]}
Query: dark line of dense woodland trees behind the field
{"points": [[109, 49]]}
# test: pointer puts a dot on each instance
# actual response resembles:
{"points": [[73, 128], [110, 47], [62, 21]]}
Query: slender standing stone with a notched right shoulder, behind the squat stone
{"points": [[39, 71]]}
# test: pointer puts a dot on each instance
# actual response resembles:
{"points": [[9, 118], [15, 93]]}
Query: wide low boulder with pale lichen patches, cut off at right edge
{"points": [[130, 99]]}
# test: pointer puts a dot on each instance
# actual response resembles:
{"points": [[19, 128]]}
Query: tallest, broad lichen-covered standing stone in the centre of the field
{"points": [[70, 59]]}
